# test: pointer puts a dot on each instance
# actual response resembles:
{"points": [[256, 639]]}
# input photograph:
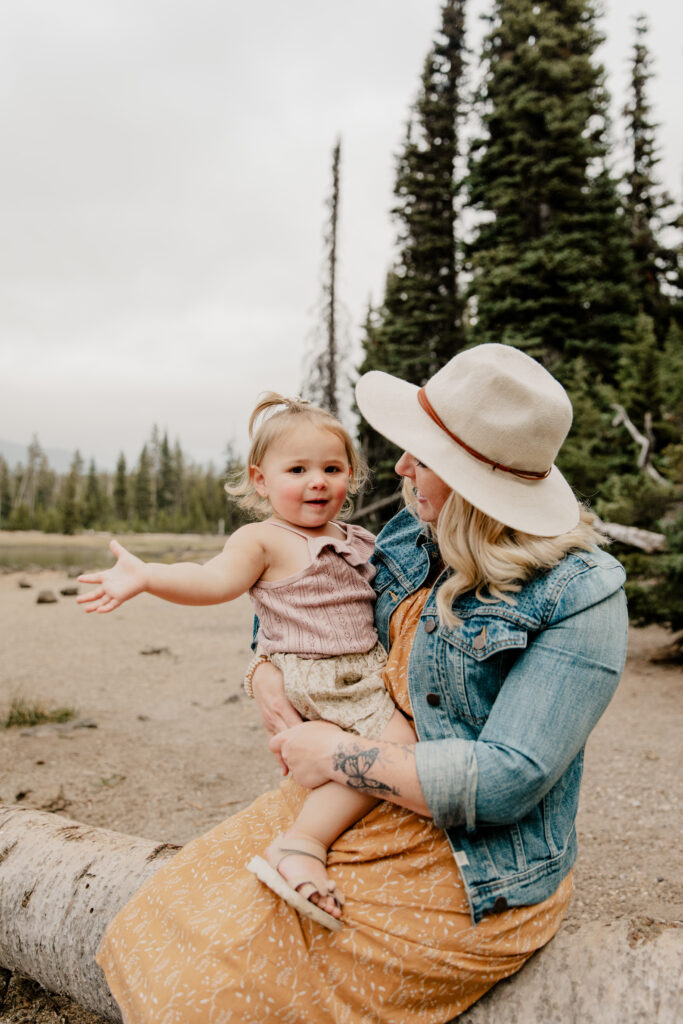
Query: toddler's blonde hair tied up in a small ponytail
{"points": [[272, 419]]}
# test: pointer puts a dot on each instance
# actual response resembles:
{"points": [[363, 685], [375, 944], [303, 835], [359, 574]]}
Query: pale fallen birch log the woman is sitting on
{"points": [[62, 883]]}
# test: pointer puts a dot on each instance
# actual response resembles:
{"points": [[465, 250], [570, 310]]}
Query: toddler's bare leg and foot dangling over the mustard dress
{"points": [[328, 813]]}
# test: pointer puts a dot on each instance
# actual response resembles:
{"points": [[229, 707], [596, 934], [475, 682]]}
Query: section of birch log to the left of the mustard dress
{"points": [[61, 884]]}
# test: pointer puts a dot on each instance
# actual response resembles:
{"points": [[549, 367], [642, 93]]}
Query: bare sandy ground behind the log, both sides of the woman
{"points": [[167, 745]]}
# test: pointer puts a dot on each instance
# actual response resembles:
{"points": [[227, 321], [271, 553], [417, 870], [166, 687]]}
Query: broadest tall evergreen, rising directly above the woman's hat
{"points": [[550, 259]]}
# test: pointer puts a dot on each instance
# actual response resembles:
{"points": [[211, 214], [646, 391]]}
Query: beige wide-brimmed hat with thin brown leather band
{"points": [[497, 420]]}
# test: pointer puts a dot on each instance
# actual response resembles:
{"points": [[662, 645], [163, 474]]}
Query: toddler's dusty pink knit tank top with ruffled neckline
{"points": [[326, 610]]}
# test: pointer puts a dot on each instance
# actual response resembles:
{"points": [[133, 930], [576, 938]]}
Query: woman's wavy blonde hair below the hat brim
{"points": [[490, 559]]}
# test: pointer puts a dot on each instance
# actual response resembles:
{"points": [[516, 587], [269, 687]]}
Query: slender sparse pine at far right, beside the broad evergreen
{"points": [[657, 268]]}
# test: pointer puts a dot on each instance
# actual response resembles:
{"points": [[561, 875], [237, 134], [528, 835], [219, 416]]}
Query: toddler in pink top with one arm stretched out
{"points": [[311, 583]]}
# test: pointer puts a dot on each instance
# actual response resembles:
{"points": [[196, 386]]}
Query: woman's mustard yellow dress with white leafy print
{"points": [[205, 943]]}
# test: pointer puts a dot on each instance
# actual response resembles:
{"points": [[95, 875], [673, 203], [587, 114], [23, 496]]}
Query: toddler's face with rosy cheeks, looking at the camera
{"points": [[305, 476]]}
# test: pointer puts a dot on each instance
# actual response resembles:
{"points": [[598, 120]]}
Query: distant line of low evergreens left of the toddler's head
{"points": [[164, 492]]}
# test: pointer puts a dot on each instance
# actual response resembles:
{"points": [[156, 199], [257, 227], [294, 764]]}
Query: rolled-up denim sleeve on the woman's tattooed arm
{"points": [[546, 709]]}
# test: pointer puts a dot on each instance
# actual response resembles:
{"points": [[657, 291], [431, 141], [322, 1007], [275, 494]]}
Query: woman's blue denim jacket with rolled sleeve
{"points": [[503, 707]]}
